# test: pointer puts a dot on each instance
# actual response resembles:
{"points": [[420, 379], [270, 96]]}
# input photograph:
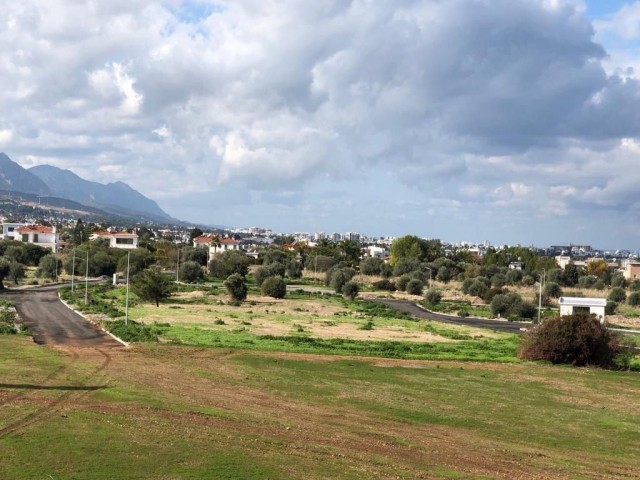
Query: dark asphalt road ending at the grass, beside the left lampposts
{"points": [[53, 323]]}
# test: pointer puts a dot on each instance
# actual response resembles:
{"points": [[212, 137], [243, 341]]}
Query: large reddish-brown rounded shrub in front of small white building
{"points": [[577, 339]]}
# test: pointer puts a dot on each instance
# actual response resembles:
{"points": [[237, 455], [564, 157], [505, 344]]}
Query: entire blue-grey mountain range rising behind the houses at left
{"points": [[116, 198]]}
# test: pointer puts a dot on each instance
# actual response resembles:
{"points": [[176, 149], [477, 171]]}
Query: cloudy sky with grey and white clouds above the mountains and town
{"points": [[512, 121]]}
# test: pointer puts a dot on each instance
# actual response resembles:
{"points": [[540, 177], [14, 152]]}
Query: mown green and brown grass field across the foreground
{"points": [[175, 412]]}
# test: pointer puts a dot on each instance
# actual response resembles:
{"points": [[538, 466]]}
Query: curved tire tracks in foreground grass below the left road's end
{"points": [[54, 405]]}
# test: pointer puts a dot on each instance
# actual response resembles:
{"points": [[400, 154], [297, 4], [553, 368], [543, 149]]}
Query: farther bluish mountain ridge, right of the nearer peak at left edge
{"points": [[117, 197]]}
